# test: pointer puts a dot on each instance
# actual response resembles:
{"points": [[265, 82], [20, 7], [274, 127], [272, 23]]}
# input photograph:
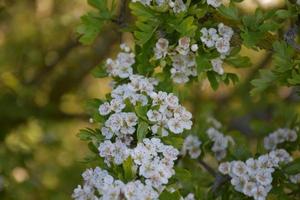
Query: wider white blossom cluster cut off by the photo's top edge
{"points": [[177, 6]]}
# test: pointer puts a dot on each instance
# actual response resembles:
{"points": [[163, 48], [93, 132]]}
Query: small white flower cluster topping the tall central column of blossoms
{"points": [[122, 66]]}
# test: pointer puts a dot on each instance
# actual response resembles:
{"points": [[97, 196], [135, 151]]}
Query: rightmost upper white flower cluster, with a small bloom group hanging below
{"points": [[219, 39]]}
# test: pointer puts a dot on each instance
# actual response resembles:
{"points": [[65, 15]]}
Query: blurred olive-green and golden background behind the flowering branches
{"points": [[45, 81]]}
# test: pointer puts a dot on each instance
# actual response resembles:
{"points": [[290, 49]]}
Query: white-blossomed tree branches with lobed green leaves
{"points": [[148, 145]]}
